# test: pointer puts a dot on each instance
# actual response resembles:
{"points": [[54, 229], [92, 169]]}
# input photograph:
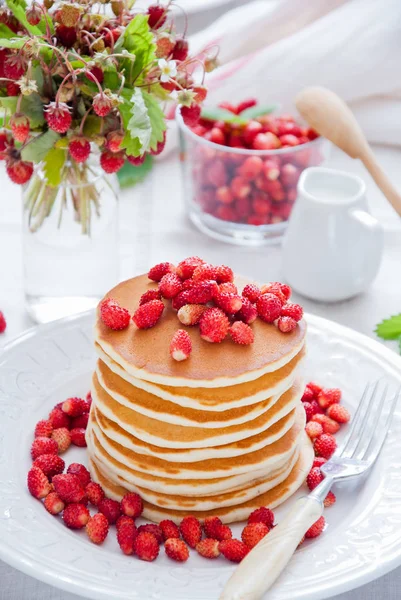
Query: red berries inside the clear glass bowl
{"points": [[259, 188]]}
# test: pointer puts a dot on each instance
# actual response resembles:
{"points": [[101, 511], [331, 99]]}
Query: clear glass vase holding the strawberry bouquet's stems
{"points": [[70, 241]]}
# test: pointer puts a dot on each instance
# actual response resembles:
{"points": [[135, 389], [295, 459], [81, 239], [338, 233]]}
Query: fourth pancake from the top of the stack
{"points": [[158, 433]]}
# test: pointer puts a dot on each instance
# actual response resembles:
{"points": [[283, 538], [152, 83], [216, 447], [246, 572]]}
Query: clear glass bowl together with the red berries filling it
{"points": [[241, 165]]}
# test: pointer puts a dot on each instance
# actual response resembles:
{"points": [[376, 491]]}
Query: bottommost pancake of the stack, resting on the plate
{"points": [[240, 512]]}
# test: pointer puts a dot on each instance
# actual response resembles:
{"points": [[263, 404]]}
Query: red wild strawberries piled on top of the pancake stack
{"points": [[205, 295]]}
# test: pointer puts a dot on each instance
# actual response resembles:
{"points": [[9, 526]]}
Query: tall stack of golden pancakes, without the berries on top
{"points": [[220, 433]]}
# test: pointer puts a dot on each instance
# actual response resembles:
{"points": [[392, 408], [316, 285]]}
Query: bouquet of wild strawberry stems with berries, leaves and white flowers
{"points": [[82, 87]]}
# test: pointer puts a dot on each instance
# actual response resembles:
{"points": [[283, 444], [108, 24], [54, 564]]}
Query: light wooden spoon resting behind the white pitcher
{"points": [[323, 110]]}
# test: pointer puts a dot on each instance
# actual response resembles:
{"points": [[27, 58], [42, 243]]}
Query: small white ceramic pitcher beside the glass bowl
{"points": [[333, 246]]}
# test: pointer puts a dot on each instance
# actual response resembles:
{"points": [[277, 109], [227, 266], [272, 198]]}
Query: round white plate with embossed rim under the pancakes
{"points": [[363, 537]]}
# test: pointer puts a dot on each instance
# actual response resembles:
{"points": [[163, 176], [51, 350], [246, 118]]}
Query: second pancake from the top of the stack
{"points": [[216, 399]]}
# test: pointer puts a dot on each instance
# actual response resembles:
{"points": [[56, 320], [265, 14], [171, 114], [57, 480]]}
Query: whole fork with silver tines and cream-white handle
{"points": [[359, 451]]}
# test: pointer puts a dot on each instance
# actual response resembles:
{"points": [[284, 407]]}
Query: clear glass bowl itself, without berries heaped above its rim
{"points": [[244, 204]]}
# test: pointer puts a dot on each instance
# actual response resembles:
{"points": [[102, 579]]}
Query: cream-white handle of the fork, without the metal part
{"points": [[261, 567]]}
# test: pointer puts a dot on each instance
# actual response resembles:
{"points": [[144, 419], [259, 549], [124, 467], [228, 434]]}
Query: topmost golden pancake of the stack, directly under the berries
{"points": [[144, 354]]}
